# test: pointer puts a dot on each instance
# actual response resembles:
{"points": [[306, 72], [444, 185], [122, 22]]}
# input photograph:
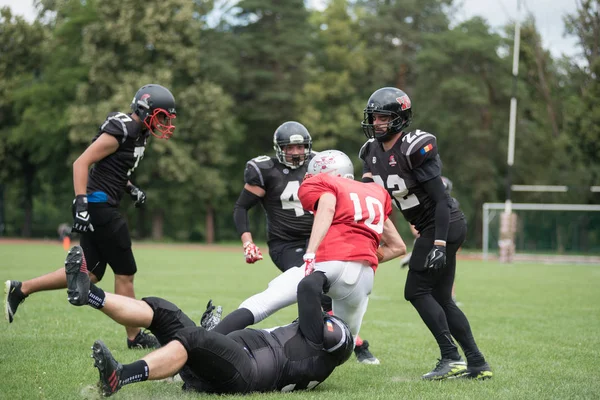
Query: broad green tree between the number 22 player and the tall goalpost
{"points": [[463, 101]]}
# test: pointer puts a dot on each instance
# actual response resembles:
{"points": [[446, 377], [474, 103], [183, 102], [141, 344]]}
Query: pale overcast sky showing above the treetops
{"points": [[548, 15]]}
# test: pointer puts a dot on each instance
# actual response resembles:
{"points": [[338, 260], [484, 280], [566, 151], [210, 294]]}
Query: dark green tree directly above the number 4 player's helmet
{"points": [[272, 39]]}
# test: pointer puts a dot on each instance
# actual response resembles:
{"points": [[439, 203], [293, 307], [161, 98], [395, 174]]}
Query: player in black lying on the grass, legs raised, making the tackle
{"points": [[297, 356]]}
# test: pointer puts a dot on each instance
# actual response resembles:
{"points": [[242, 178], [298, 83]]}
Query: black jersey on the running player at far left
{"points": [[110, 175]]}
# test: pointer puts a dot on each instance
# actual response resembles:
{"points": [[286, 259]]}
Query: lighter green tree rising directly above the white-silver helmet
{"points": [[330, 104]]}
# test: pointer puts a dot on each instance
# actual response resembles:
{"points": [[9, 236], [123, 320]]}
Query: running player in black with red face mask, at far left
{"points": [[115, 152]]}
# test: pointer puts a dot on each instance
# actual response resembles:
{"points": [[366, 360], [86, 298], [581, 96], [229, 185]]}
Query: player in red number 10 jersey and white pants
{"points": [[351, 220]]}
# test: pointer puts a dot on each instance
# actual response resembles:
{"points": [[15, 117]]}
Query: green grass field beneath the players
{"points": [[538, 326]]}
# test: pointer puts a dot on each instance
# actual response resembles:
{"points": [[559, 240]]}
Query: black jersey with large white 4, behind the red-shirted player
{"points": [[286, 219]]}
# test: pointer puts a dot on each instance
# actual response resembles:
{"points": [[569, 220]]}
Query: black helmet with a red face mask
{"points": [[155, 105]]}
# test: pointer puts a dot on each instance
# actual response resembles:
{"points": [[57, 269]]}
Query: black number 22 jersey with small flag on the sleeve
{"points": [[413, 159]]}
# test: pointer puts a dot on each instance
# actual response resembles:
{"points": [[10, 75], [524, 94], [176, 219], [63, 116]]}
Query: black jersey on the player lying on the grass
{"points": [[286, 359]]}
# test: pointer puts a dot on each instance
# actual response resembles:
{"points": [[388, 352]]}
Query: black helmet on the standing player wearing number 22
{"points": [[387, 101]]}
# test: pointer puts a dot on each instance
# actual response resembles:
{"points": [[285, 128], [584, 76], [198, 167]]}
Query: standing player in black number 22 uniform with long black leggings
{"points": [[408, 165]]}
